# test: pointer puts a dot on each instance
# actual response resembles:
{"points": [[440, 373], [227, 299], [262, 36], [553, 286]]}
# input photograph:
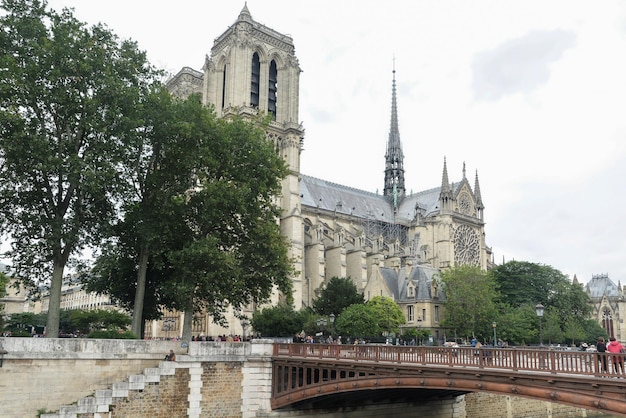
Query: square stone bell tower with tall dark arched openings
{"points": [[253, 70]]}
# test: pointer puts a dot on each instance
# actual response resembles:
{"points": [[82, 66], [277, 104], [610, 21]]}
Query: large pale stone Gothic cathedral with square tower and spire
{"points": [[391, 244]]}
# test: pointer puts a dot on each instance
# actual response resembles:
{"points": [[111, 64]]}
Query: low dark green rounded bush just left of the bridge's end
{"points": [[279, 321]]}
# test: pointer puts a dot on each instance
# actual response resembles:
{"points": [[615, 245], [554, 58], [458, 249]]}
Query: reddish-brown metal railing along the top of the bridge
{"points": [[556, 361]]}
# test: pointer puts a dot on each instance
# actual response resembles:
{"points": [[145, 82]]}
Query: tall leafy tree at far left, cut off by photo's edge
{"points": [[68, 96]]}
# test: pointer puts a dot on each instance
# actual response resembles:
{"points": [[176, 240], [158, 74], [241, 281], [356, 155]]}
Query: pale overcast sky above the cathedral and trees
{"points": [[531, 94]]}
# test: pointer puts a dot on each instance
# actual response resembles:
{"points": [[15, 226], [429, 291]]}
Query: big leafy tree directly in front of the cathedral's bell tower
{"points": [[231, 251]]}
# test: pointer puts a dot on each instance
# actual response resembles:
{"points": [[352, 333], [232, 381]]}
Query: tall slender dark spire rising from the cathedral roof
{"points": [[394, 158]]}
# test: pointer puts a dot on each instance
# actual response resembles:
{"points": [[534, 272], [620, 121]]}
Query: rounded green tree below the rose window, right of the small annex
{"points": [[471, 297]]}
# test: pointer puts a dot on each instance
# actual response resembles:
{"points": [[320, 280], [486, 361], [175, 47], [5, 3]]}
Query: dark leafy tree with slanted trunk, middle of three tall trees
{"points": [[161, 172]]}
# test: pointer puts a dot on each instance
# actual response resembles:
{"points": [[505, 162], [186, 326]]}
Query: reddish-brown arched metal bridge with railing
{"points": [[307, 372]]}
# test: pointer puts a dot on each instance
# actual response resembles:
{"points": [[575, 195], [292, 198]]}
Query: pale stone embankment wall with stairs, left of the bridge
{"points": [[116, 378]]}
